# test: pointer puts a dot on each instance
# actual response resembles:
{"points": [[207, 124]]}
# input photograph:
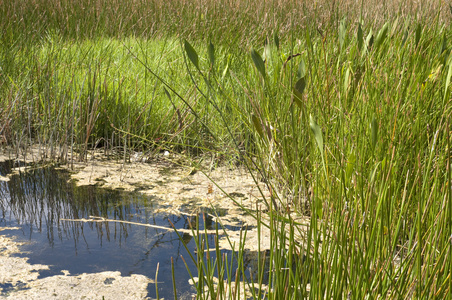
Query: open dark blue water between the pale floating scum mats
{"points": [[36, 201]]}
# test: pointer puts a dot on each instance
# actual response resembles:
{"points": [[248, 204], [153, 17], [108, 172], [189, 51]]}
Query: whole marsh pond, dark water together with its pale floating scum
{"points": [[105, 229]]}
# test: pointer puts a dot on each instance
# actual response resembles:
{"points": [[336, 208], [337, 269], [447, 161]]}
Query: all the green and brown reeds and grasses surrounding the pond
{"points": [[342, 108]]}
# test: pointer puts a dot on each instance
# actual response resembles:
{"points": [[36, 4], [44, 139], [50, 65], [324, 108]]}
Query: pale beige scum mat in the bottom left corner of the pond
{"points": [[19, 280]]}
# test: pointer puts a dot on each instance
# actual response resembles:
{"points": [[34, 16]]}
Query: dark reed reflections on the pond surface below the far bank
{"points": [[40, 198]]}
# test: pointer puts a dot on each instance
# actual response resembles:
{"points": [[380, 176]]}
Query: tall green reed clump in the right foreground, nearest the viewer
{"points": [[378, 173]]}
